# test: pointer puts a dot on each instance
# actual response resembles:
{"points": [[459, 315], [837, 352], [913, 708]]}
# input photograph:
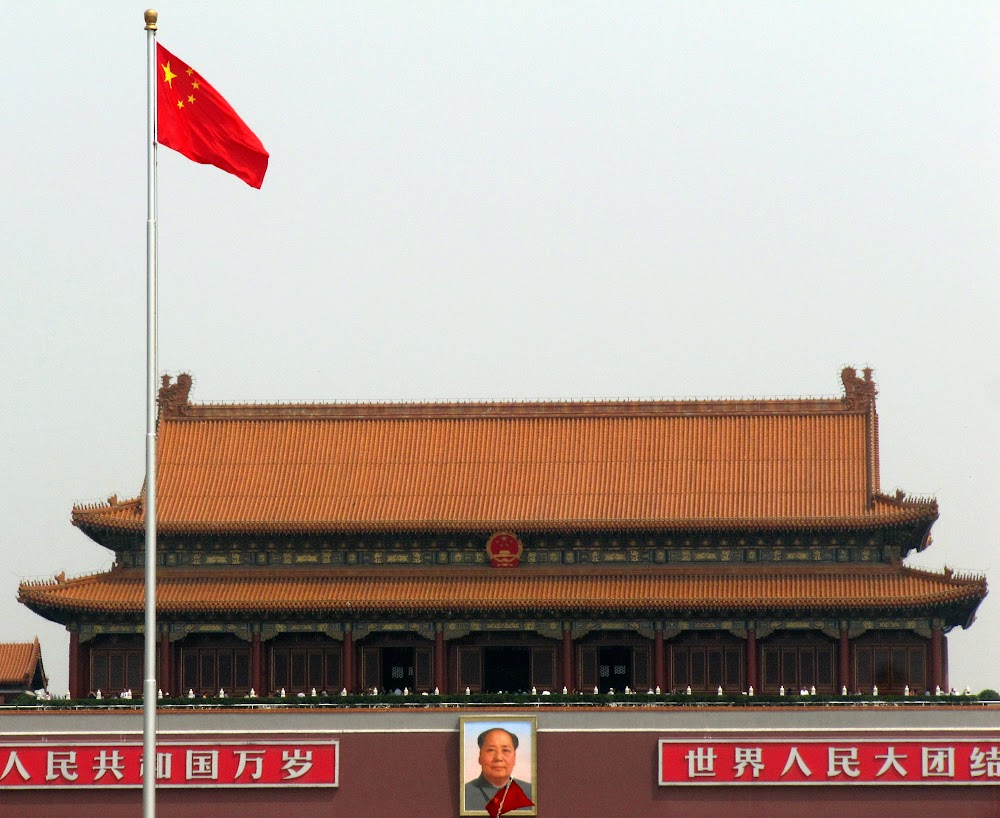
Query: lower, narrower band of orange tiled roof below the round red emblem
{"points": [[360, 592]]}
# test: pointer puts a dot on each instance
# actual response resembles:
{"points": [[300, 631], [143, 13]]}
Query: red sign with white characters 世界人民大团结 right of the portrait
{"points": [[829, 762]]}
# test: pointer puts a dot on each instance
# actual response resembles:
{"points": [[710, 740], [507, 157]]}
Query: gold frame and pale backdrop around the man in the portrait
{"points": [[525, 768]]}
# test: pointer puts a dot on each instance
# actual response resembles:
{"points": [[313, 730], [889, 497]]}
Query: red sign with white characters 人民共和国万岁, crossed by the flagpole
{"points": [[182, 764]]}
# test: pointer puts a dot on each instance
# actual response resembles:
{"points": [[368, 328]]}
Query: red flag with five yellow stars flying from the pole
{"points": [[194, 119]]}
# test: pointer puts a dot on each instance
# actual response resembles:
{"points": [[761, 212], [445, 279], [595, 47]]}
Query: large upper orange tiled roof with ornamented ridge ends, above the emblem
{"points": [[526, 466]]}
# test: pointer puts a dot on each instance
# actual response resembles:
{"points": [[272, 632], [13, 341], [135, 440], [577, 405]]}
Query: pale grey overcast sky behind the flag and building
{"points": [[506, 201]]}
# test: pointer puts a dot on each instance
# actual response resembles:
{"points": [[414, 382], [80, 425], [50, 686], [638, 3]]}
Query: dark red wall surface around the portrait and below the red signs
{"points": [[580, 775]]}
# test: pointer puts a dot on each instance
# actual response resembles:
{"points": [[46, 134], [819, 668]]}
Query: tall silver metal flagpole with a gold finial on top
{"points": [[149, 682]]}
